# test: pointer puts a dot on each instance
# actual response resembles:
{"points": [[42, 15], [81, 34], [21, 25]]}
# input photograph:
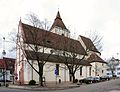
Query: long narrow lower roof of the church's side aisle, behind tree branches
{"points": [[54, 58]]}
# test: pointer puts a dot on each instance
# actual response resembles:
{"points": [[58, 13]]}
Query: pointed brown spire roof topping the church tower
{"points": [[58, 22]]}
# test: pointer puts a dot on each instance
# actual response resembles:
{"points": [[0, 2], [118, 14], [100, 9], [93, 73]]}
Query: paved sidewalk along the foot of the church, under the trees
{"points": [[49, 86]]}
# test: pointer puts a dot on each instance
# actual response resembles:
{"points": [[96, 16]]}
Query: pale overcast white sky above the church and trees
{"points": [[80, 16]]}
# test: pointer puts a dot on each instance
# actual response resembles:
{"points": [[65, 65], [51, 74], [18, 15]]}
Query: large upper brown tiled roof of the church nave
{"points": [[32, 35]]}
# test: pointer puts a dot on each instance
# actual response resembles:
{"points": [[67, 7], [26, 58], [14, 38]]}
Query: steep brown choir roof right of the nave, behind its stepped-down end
{"points": [[89, 44]]}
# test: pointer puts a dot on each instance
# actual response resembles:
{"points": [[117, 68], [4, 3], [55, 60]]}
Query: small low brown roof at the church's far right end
{"points": [[95, 58]]}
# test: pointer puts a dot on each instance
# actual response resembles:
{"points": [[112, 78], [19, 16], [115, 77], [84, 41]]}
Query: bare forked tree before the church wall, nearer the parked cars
{"points": [[71, 59]]}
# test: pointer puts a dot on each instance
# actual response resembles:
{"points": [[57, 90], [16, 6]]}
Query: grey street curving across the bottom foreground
{"points": [[108, 86]]}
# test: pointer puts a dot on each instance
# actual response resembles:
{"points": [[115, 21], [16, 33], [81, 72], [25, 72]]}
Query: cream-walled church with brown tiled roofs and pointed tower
{"points": [[56, 41]]}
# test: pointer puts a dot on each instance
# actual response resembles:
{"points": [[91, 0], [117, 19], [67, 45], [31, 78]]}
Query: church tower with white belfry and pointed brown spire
{"points": [[59, 27]]}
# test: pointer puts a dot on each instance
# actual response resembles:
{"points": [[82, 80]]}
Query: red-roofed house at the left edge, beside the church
{"points": [[7, 67]]}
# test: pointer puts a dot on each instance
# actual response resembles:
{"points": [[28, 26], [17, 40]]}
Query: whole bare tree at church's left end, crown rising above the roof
{"points": [[32, 50]]}
